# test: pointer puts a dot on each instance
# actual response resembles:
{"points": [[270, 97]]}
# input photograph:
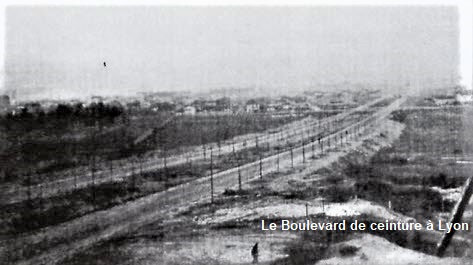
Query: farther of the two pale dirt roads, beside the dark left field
{"points": [[290, 133]]}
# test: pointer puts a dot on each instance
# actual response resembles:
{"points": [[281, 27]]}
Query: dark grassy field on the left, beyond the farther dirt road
{"points": [[44, 150]]}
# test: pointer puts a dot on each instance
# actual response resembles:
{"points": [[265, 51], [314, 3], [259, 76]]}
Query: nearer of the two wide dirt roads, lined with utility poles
{"points": [[53, 244]]}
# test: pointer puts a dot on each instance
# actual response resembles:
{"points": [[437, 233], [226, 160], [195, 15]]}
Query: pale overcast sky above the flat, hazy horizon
{"points": [[58, 52]]}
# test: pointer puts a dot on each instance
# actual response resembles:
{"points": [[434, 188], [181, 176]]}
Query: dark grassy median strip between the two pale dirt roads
{"points": [[67, 206]]}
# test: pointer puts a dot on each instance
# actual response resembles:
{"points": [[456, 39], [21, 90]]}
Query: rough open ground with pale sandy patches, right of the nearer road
{"points": [[413, 161]]}
